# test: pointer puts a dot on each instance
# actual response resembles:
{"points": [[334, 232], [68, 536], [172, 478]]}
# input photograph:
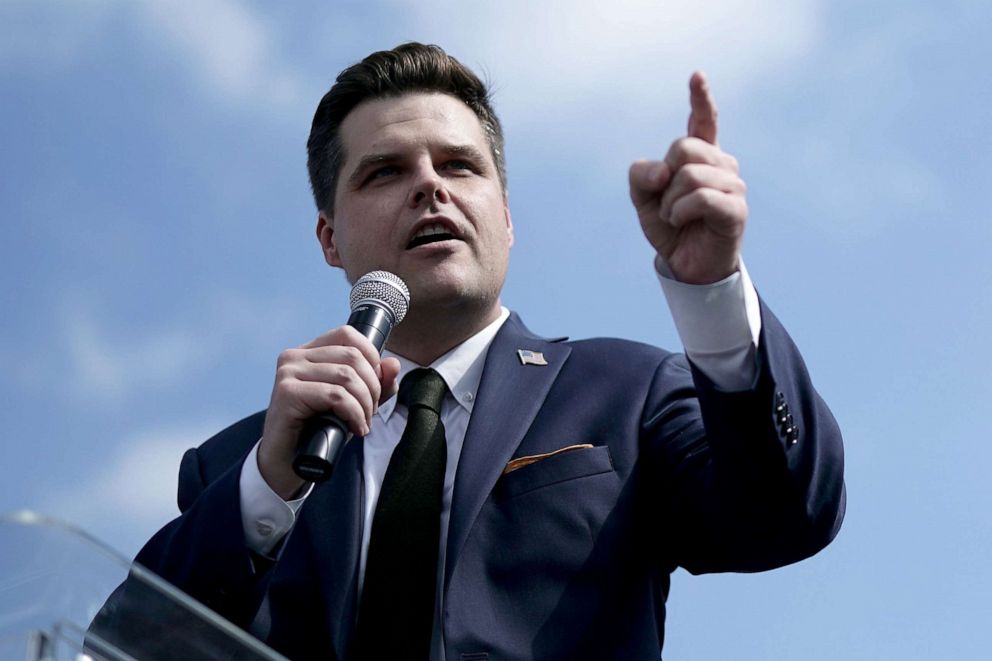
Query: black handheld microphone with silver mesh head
{"points": [[379, 300]]}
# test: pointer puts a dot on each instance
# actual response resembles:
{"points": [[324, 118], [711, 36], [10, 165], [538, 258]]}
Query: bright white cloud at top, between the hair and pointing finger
{"points": [[606, 53]]}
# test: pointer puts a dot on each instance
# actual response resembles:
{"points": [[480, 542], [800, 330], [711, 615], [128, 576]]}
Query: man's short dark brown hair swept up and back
{"points": [[410, 67]]}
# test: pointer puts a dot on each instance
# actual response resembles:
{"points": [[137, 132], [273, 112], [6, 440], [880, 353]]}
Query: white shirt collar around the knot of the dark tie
{"points": [[461, 368]]}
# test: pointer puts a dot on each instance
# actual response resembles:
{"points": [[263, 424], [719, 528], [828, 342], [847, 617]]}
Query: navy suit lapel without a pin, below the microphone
{"points": [[334, 522]]}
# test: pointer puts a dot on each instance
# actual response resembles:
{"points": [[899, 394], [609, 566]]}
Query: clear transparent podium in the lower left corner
{"points": [[64, 596]]}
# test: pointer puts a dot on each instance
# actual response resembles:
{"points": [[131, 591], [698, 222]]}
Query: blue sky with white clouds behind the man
{"points": [[158, 253]]}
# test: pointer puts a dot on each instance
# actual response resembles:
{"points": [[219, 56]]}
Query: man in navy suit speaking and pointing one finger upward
{"points": [[574, 476]]}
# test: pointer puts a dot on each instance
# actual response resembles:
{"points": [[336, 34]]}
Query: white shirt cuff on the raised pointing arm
{"points": [[719, 325]]}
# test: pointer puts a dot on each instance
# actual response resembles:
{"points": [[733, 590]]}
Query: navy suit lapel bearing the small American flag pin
{"points": [[509, 398]]}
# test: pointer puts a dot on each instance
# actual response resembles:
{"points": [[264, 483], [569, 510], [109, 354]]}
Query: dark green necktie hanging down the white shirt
{"points": [[397, 605]]}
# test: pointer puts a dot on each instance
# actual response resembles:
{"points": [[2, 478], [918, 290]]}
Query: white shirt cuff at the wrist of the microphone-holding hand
{"points": [[265, 516]]}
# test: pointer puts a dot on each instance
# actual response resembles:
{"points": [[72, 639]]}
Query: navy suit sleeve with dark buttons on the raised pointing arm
{"points": [[754, 479]]}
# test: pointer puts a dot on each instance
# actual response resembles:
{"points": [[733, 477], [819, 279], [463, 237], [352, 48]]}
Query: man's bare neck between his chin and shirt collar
{"points": [[426, 335]]}
